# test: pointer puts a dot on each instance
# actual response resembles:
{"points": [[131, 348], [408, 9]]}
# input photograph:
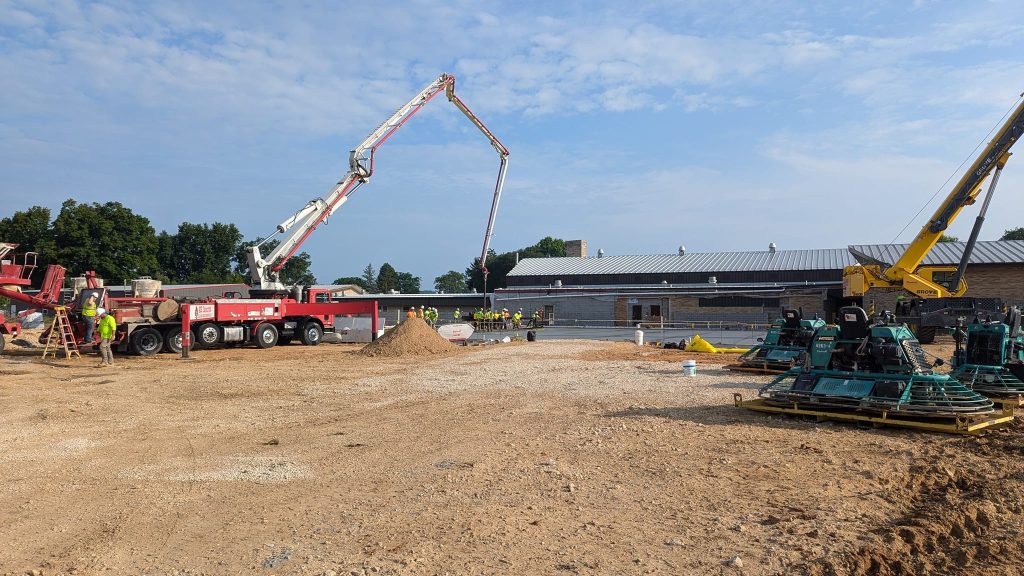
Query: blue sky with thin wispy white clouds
{"points": [[635, 127]]}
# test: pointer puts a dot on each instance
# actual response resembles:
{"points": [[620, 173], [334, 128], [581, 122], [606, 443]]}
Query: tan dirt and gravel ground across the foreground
{"points": [[546, 458]]}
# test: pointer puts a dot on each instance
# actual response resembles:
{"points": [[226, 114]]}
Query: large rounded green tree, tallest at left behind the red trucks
{"points": [[107, 238]]}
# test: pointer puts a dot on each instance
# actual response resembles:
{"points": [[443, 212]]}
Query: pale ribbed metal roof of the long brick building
{"points": [[987, 253]]}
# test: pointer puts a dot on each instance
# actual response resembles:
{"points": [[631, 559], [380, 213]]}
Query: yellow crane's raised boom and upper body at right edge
{"points": [[908, 272]]}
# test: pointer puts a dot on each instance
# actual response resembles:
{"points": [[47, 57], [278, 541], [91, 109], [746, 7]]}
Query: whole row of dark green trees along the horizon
{"points": [[121, 245]]}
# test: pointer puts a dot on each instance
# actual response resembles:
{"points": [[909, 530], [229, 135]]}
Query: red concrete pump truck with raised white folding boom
{"points": [[274, 313]]}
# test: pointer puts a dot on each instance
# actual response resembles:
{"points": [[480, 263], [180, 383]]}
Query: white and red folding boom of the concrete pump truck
{"points": [[266, 271]]}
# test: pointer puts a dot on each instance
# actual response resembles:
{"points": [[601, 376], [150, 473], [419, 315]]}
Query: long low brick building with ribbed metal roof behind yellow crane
{"points": [[751, 286]]}
